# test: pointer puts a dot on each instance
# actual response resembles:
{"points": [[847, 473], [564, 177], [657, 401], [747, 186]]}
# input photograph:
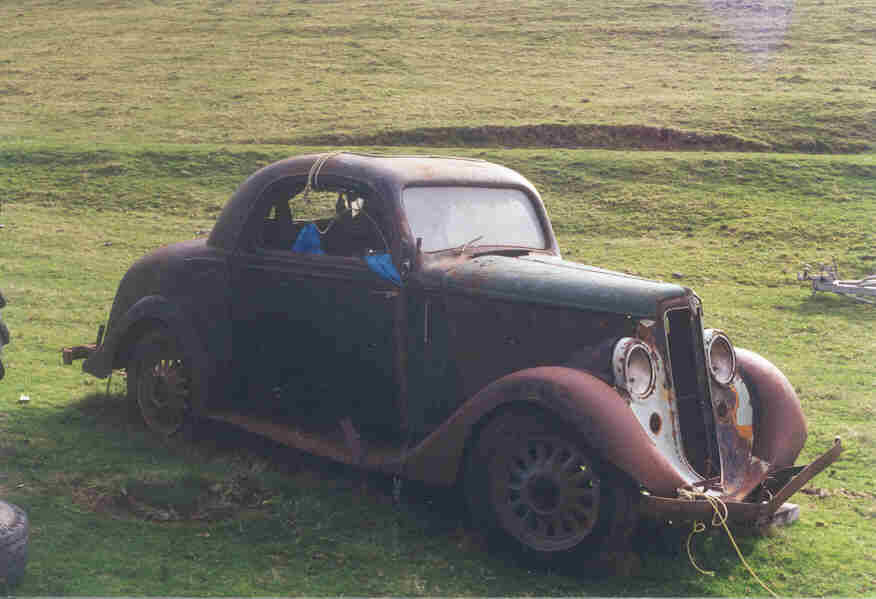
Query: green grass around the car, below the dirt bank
{"points": [[735, 227]]}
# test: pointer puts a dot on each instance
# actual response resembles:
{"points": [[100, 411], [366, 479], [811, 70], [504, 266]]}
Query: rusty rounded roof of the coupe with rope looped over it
{"points": [[388, 173]]}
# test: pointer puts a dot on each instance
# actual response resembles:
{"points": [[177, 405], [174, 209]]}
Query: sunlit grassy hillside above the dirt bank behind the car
{"points": [[788, 75]]}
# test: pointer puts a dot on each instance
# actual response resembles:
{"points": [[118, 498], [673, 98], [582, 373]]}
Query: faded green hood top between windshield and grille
{"points": [[555, 282]]}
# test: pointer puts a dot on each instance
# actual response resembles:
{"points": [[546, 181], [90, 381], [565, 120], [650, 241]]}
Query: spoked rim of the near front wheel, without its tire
{"points": [[546, 493]]}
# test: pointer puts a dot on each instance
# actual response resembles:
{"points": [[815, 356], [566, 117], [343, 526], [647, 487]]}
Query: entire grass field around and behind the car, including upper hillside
{"points": [[124, 126]]}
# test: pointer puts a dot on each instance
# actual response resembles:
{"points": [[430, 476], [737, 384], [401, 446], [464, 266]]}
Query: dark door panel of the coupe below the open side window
{"points": [[314, 336]]}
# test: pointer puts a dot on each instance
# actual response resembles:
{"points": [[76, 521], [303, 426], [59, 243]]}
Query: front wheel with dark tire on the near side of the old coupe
{"points": [[529, 481]]}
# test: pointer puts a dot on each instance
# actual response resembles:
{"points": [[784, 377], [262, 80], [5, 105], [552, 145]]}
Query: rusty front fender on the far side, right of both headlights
{"points": [[779, 424]]}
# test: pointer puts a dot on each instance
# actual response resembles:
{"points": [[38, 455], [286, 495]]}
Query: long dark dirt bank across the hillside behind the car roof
{"points": [[620, 137]]}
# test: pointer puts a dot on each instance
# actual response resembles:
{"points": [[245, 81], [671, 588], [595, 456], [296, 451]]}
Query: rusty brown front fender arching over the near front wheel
{"points": [[579, 399]]}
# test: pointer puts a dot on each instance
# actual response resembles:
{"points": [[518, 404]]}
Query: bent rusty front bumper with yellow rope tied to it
{"points": [[777, 487]]}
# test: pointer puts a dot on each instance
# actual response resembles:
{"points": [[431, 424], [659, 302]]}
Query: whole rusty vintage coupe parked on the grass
{"points": [[429, 328]]}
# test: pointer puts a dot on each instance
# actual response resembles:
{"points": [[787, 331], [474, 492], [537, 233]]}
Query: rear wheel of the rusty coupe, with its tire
{"points": [[159, 382]]}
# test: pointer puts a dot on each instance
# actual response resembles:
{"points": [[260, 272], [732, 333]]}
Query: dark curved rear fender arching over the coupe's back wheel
{"points": [[148, 313]]}
